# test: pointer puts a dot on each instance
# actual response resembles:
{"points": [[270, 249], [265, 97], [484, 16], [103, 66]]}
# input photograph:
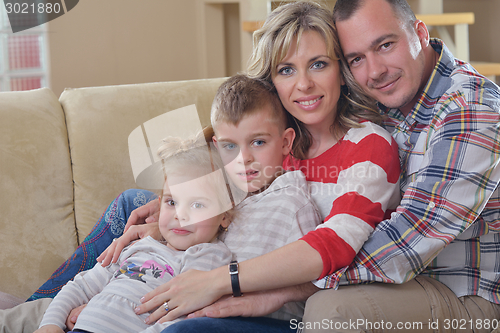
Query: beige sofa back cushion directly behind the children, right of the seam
{"points": [[99, 121]]}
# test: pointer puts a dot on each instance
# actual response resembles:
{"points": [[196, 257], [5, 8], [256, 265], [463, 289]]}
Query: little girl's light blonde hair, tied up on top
{"points": [[195, 158]]}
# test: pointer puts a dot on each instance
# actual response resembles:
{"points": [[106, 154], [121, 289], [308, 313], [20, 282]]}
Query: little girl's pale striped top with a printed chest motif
{"points": [[113, 292]]}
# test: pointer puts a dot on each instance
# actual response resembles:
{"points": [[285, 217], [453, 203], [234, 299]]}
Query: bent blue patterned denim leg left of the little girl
{"points": [[109, 226]]}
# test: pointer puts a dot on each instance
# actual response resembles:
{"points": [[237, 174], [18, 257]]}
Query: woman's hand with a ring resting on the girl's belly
{"points": [[185, 293]]}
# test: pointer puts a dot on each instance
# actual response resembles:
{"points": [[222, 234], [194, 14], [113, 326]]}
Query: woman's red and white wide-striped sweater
{"points": [[354, 184]]}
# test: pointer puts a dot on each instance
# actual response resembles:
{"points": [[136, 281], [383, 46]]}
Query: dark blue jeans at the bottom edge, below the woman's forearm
{"points": [[230, 325]]}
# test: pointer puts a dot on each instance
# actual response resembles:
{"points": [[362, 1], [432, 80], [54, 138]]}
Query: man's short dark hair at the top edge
{"points": [[344, 9]]}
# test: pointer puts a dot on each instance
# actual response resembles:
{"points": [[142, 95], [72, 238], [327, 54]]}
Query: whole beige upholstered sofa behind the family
{"points": [[63, 160]]}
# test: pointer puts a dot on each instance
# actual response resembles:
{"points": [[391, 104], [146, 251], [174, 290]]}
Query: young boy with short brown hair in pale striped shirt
{"points": [[253, 137]]}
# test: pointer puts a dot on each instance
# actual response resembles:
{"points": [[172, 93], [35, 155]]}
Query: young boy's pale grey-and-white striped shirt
{"points": [[266, 221]]}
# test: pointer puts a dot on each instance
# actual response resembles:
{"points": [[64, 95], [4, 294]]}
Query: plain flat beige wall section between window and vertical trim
{"points": [[123, 41]]}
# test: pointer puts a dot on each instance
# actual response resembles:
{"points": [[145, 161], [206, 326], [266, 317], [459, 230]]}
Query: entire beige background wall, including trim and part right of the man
{"points": [[133, 41]]}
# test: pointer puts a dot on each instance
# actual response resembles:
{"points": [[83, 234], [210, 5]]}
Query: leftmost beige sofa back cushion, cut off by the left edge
{"points": [[37, 226]]}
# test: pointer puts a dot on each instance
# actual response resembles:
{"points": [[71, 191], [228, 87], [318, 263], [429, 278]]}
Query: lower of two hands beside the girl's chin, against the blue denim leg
{"points": [[134, 232]]}
